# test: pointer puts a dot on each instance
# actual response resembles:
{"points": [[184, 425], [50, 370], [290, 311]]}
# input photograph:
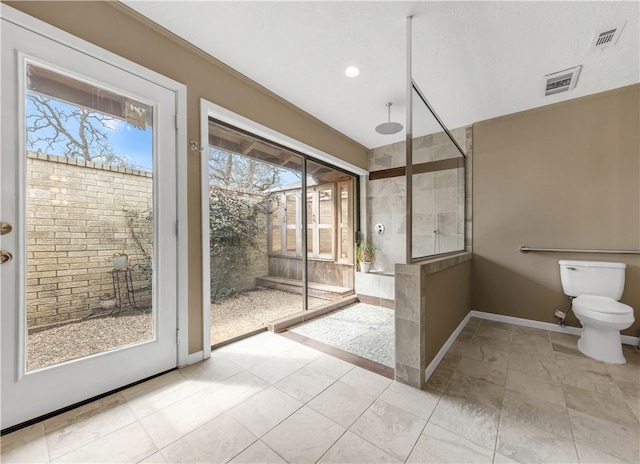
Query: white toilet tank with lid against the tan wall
{"points": [[592, 278]]}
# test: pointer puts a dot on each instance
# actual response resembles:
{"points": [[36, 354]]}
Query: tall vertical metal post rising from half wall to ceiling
{"points": [[409, 153]]}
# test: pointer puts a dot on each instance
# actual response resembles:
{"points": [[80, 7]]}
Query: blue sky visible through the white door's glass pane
{"points": [[134, 144]]}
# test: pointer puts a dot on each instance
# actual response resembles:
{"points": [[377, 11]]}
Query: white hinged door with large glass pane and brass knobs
{"points": [[88, 171]]}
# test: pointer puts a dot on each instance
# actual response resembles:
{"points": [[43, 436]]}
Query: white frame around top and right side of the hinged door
{"points": [[48, 31]]}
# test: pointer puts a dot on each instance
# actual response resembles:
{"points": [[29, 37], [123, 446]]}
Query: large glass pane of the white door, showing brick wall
{"points": [[89, 219]]}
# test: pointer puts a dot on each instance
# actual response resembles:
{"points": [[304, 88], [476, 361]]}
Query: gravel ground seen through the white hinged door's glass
{"points": [[85, 338]]}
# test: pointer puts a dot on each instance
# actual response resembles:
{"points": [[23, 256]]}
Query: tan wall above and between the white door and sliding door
{"points": [[114, 27]]}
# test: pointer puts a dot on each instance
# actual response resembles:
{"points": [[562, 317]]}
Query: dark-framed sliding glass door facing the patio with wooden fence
{"points": [[279, 242]]}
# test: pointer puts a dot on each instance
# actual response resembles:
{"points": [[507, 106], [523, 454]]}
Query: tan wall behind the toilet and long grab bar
{"points": [[563, 176]]}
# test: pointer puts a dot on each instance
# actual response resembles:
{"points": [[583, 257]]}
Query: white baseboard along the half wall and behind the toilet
{"points": [[626, 339]]}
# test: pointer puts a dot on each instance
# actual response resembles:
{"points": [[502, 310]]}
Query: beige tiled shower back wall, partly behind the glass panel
{"points": [[436, 190]]}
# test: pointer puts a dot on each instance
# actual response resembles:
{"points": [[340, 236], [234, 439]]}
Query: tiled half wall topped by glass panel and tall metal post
{"points": [[430, 312]]}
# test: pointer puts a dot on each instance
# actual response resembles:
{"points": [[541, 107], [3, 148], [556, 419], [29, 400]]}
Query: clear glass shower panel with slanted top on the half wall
{"points": [[438, 187]]}
